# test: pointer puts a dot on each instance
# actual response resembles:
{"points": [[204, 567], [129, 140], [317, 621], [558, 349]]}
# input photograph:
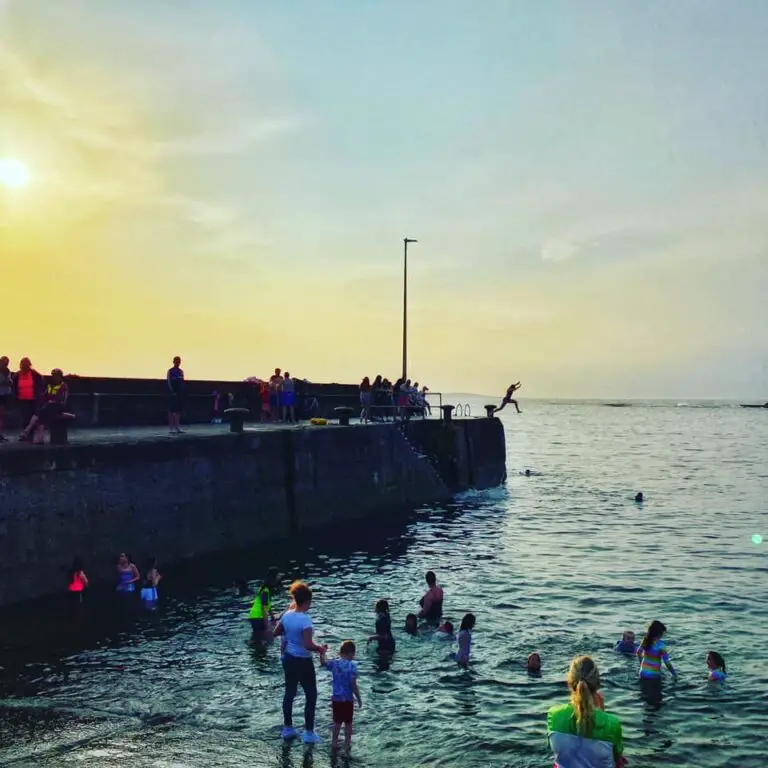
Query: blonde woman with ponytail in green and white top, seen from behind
{"points": [[581, 734]]}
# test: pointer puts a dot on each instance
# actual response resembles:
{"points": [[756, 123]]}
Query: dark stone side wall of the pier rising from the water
{"points": [[143, 491]]}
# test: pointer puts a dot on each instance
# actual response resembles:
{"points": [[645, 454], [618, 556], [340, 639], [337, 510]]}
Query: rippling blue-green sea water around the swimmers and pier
{"points": [[560, 562]]}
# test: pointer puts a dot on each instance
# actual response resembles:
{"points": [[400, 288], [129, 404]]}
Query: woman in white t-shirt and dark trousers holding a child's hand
{"points": [[298, 665]]}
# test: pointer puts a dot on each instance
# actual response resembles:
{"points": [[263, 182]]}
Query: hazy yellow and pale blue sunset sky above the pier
{"points": [[231, 182]]}
